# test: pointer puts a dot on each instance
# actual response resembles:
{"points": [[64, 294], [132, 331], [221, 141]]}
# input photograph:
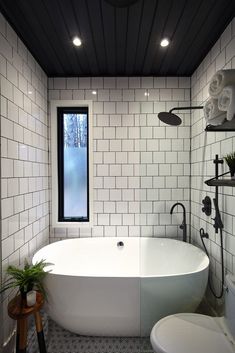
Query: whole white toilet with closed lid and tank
{"points": [[195, 333]]}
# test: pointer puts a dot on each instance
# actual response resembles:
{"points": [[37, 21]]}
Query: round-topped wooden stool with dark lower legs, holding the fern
{"points": [[18, 310]]}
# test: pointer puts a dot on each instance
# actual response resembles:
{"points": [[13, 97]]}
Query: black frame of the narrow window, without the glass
{"points": [[60, 160]]}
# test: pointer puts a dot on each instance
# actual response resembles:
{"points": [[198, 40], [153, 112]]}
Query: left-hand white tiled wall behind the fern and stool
{"points": [[24, 156]]}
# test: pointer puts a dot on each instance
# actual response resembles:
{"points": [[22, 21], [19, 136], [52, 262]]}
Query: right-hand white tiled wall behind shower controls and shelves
{"points": [[204, 147]]}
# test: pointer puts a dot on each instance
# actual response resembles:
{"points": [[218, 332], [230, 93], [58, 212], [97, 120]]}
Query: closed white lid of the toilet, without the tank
{"points": [[189, 333]]}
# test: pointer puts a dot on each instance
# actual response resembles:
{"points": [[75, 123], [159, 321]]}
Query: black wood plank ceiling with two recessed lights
{"points": [[119, 37]]}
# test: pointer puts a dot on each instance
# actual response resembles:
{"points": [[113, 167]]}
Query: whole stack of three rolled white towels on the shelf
{"points": [[222, 98]]}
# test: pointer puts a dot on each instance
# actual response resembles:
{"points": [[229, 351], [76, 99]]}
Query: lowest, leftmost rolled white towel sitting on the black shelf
{"points": [[212, 114]]}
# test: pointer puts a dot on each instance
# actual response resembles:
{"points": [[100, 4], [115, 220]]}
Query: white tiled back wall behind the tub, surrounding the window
{"points": [[141, 166]]}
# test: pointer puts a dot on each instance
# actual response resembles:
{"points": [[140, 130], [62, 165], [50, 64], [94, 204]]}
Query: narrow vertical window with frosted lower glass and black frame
{"points": [[73, 164]]}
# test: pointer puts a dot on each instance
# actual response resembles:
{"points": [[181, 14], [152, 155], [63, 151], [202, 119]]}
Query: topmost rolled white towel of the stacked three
{"points": [[221, 79]]}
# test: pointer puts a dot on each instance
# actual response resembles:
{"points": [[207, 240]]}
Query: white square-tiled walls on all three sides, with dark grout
{"points": [[141, 166]]}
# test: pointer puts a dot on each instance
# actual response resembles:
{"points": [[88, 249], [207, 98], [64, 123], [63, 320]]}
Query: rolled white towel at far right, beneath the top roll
{"points": [[226, 101]]}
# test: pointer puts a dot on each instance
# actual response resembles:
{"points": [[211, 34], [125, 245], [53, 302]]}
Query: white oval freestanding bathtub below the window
{"points": [[96, 287]]}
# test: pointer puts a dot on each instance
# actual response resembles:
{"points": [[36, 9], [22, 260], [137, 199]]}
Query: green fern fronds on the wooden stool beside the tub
{"points": [[27, 279]]}
